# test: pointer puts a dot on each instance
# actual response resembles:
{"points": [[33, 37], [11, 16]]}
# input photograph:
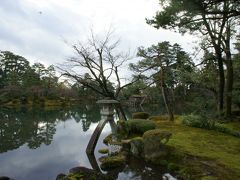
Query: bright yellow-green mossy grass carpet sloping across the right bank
{"points": [[220, 149]]}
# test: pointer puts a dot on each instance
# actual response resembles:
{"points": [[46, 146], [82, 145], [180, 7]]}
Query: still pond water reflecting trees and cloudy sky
{"points": [[39, 144]]}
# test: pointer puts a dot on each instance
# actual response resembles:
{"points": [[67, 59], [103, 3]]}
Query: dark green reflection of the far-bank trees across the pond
{"points": [[37, 126]]}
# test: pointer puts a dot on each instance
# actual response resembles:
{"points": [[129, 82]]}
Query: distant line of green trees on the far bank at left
{"points": [[22, 83]]}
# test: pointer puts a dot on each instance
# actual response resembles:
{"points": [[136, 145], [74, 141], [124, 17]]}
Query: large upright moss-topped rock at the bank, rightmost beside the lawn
{"points": [[154, 145]]}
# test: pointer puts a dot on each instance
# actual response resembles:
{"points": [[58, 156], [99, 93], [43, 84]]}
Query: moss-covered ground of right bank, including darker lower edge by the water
{"points": [[209, 151]]}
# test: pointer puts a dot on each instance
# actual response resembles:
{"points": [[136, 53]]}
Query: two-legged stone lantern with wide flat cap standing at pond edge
{"points": [[107, 115]]}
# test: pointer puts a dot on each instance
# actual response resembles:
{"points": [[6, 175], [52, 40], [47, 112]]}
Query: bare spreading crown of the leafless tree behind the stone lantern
{"points": [[102, 60]]}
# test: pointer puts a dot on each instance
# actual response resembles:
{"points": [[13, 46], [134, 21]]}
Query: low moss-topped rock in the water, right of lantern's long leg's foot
{"points": [[112, 162]]}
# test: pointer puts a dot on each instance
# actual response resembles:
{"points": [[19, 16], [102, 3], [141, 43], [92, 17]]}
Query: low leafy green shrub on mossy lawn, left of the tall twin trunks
{"points": [[197, 121]]}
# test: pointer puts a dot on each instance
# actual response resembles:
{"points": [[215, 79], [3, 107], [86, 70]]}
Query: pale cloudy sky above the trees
{"points": [[39, 29]]}
